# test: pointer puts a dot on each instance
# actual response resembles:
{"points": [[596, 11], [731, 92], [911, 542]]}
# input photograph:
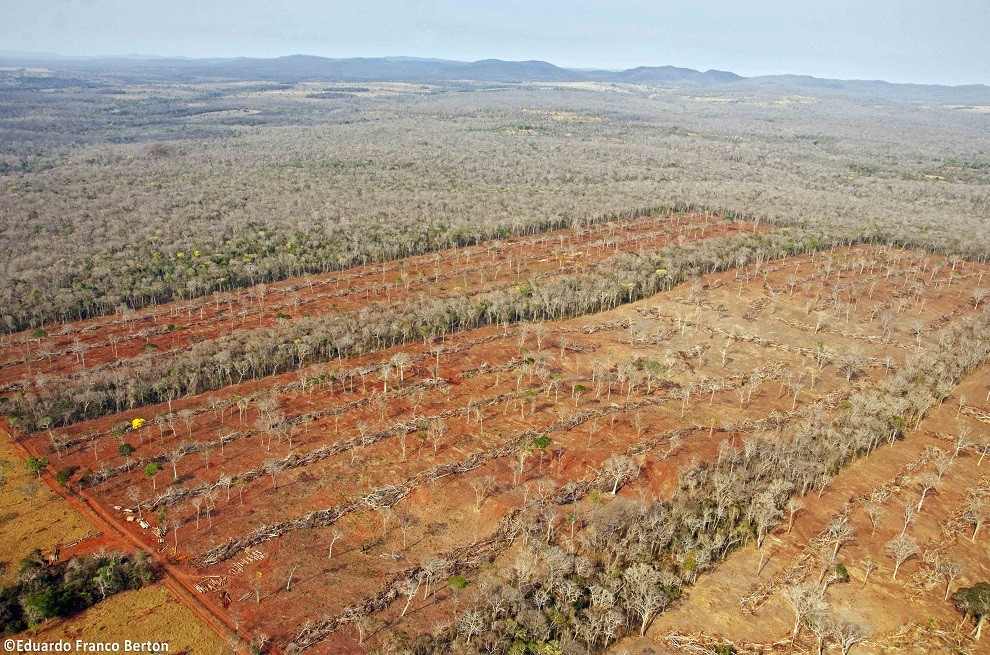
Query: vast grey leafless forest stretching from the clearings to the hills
{"points": [[121, 196]]}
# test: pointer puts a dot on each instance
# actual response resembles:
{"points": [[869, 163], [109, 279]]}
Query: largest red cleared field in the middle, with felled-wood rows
{"points": [[497, 390]]}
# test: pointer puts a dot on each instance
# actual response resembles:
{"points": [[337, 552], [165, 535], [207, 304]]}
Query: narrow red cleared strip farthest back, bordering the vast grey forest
{"points": [[107, 340]]}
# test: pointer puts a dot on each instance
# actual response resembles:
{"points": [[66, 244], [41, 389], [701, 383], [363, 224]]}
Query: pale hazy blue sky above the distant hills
{"points": [[908, 41]]}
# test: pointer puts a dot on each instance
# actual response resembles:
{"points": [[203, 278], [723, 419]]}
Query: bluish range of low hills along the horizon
{"points": [[300, 68]]}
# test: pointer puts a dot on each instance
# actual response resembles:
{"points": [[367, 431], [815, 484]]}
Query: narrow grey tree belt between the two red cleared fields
{"points": [[153, 379]]}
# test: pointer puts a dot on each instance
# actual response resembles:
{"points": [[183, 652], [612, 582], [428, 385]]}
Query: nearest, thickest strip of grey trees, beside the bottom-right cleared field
{"points": [[629, 560]]}
